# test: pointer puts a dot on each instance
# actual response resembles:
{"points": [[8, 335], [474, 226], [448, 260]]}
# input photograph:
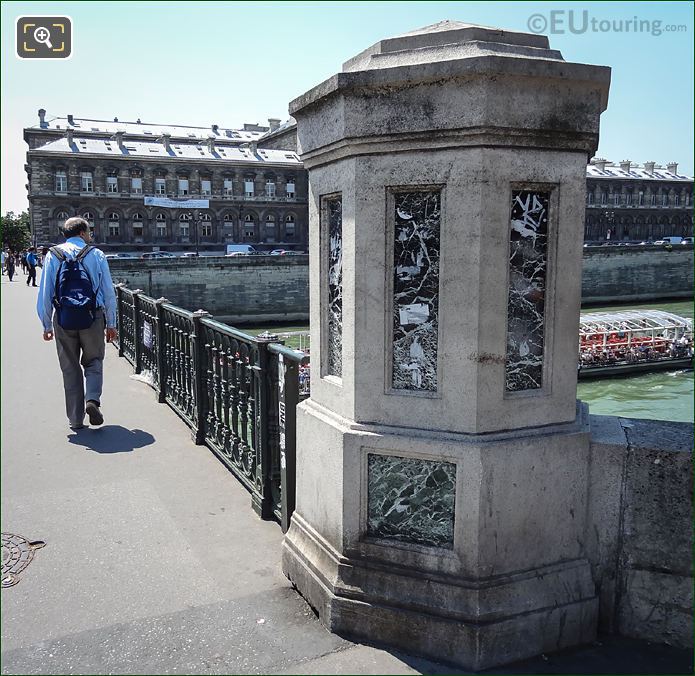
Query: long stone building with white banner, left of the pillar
{"points": [[103, 171]]}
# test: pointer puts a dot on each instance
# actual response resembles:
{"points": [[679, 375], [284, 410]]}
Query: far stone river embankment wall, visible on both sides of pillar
{"points": [[262, 288]]}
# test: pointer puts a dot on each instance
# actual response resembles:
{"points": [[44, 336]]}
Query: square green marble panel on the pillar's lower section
{"points": [[411, 500]]}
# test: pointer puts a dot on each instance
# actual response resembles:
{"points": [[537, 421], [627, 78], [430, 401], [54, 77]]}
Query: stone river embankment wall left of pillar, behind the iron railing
{"points": [[241, 289]]}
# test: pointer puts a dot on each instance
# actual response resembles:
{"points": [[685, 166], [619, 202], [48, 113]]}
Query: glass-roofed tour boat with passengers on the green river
{"points": [[633, 341]]}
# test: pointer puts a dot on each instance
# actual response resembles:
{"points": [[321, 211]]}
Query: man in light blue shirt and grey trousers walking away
{"points": [[78, 348]]}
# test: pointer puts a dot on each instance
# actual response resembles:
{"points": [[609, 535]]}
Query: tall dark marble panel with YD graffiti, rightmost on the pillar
{"points": [[528, 262]]}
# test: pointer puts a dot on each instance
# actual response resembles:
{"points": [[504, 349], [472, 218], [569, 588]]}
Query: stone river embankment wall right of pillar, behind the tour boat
{"points": [[636, 273]]}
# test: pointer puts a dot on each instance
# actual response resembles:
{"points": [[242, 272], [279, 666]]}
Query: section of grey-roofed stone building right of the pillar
{"points": [[628, 202]]}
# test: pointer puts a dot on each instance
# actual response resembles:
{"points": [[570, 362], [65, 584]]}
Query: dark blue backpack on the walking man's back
{"points": [[75, 300]]}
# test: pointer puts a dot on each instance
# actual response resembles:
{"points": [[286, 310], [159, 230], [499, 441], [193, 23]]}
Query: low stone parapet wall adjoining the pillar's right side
{"points": [[640, 528]]}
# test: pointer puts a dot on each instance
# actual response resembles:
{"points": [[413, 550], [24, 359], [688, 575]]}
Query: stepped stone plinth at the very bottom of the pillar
{"points": [[475, 624]]}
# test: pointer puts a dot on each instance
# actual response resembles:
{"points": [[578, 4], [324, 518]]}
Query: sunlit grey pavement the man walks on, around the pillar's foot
{"points": [[154, 561]]}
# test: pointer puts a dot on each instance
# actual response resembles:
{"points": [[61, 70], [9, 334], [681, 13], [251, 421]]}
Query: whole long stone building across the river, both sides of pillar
{"points": [[257, 187]]}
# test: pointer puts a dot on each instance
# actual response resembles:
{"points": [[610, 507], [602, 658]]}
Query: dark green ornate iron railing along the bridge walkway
{"points": [[238, 393]]}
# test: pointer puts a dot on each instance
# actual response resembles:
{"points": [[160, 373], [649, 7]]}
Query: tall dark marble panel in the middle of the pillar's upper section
{"points": [[416, 290]]}
